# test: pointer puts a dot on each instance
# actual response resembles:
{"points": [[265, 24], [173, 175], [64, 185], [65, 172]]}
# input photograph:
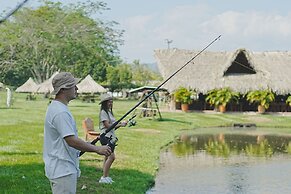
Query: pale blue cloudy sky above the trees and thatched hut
{"points": [[256, 25]]}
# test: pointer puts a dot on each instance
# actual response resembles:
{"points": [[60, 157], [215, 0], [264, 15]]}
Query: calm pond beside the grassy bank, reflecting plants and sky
{"points": [[226, 164]]}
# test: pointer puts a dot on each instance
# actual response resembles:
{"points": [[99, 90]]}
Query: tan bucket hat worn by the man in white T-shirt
{"points": [[63, 80]]}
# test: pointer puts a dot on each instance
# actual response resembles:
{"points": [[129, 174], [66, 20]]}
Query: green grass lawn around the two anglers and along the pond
{"points": [[137, 153]]}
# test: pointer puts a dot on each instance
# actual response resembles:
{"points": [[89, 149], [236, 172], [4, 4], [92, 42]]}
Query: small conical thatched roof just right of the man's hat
{"points": [[88, 85]]}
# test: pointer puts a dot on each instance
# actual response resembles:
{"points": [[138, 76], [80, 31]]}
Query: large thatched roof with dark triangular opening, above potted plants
{"points": [[241, 70]]}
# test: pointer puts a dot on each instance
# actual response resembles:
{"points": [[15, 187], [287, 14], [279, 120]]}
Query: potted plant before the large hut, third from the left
{"points": [[262, 97]]}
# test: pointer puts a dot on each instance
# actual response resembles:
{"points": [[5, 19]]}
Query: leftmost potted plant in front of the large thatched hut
{"points": [[184, 96]]}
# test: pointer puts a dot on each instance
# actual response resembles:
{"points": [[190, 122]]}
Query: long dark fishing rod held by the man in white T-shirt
{"points": [[147, 96]]}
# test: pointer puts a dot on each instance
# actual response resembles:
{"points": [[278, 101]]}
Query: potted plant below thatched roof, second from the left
{"points": [[219, 98]]}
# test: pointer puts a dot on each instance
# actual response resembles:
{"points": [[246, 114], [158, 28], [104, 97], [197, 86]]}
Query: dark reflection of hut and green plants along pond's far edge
{"points": [[227, 144]]}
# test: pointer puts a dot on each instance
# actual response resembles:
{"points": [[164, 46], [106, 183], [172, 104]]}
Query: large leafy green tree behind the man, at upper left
{"points": [[55, 37]]}
